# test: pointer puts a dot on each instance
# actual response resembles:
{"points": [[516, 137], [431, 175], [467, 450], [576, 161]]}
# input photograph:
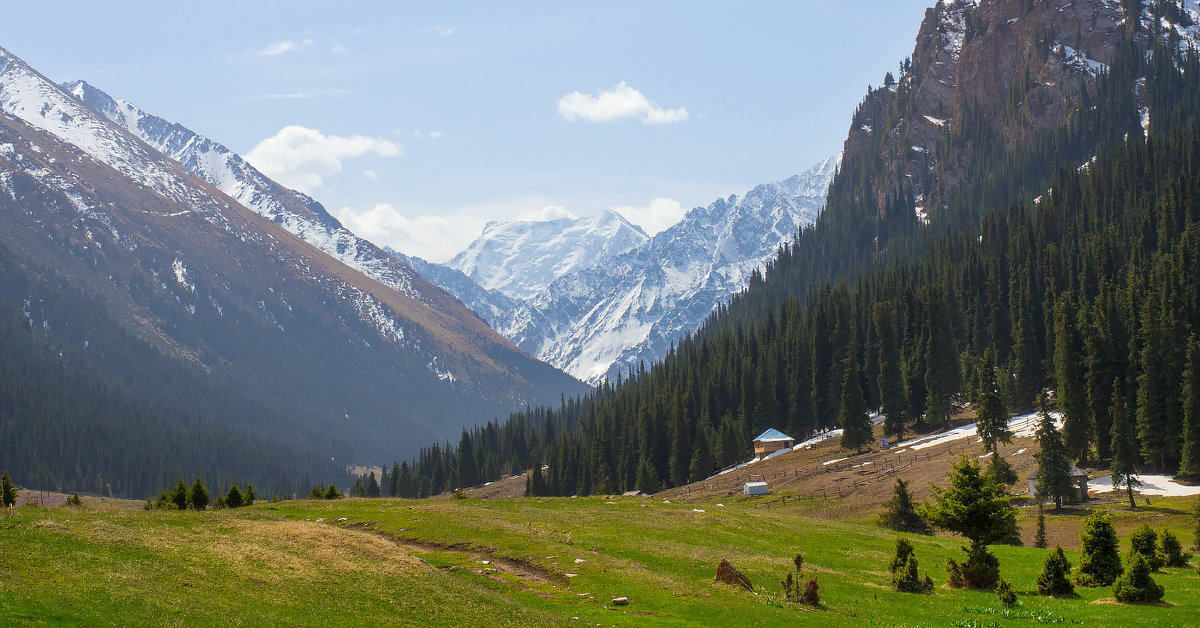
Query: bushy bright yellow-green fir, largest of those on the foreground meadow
{"points": [[979, 509]]}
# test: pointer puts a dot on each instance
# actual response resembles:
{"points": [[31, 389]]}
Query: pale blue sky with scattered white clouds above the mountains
{"points": [[418, 123]]}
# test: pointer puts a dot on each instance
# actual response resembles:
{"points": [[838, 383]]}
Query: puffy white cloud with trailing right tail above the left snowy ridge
{"points": [[302, 158]]}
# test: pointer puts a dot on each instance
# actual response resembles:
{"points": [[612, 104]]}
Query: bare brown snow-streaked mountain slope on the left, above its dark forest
{"points": [[351, 368]]}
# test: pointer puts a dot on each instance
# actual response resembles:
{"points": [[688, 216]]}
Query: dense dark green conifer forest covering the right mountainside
{"points": [[1070, 261]]}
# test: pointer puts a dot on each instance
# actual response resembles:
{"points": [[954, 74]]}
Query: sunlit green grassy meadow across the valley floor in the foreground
{"points": [[549, 561]]}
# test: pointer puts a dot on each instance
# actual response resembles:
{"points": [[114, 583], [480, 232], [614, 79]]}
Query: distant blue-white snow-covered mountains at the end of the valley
{"points": [[597, 297]]}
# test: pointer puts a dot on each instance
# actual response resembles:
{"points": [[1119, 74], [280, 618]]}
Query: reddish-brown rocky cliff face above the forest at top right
{"points": [[1004, 70]]}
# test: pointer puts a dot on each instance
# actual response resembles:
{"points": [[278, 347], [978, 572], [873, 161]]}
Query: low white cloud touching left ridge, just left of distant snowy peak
{"points": [[430, 237]]}
